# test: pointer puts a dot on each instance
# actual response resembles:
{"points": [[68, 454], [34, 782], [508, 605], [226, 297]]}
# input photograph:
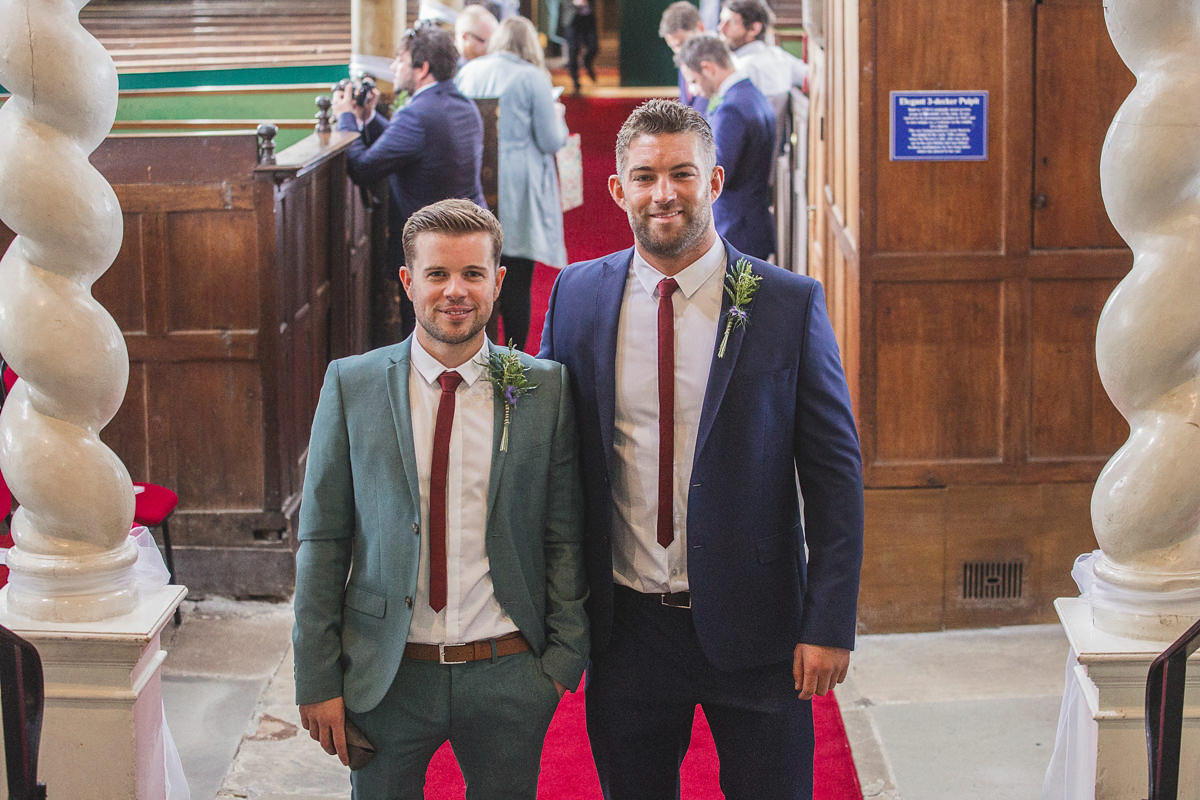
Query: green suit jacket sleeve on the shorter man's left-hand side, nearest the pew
{"points": [[326, 533]]}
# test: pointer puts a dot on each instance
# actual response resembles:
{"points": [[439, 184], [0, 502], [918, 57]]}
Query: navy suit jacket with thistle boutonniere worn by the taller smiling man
{"points": [[777, 408]]}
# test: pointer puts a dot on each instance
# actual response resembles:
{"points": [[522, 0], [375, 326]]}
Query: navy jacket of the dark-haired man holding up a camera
{"points": [[431, 151]]}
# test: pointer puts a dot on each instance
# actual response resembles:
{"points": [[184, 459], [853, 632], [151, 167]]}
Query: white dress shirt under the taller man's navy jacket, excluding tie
{"points": [[639, 562]]}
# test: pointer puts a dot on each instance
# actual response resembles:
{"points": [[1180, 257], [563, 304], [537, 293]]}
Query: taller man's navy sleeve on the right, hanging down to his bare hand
{"points": [[830, 468]]}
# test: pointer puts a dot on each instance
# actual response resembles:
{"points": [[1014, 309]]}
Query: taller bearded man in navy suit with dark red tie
{"points": [[707, 585]]}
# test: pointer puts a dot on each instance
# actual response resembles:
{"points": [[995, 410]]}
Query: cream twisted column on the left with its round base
{"points": [[74, 556]]}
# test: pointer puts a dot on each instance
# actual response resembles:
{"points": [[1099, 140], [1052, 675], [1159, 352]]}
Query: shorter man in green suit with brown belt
{"points": [[440, 581]]}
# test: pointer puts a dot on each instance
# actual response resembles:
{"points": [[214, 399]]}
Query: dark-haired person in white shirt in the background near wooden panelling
{"points": [[746, 27]]}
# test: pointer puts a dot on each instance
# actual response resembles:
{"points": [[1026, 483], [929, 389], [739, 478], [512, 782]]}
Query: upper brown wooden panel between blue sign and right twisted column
{"points": [[1081, 83]]}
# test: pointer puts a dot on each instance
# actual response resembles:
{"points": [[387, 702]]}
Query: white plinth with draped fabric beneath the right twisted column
{"points": [[1112, 679]]}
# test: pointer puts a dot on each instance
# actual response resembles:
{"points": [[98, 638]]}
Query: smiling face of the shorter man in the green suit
{"points": [[454, 282]]}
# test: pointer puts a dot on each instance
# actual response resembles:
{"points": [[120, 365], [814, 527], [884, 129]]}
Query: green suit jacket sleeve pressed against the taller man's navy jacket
{"points": [[567, 627]]}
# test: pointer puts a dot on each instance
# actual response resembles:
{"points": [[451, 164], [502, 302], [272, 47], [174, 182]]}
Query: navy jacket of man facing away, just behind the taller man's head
{"points": [[745, 128]]}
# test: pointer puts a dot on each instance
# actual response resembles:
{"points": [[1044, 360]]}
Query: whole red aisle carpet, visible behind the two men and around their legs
{"points": [[595, 230]]}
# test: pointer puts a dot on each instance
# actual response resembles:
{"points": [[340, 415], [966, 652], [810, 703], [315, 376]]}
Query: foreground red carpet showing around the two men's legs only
{"points": [[568, 772]]}
